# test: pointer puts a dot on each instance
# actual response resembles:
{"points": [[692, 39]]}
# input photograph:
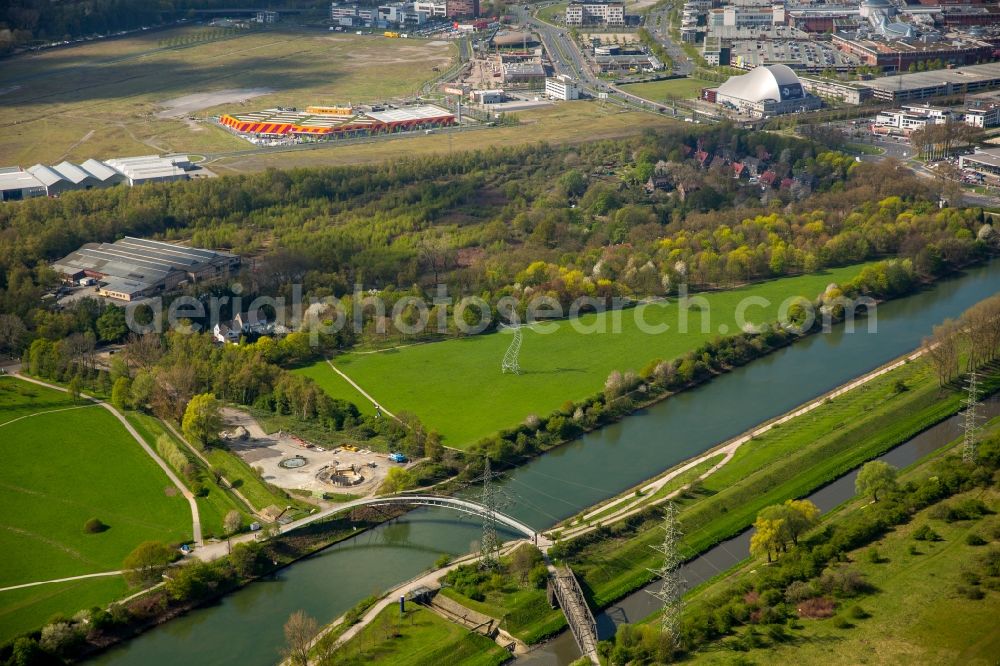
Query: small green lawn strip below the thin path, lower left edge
{"points": [[28, 609]]}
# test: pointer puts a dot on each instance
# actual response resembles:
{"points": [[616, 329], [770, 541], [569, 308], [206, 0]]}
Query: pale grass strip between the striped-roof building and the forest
{"points": [[563, 123]]}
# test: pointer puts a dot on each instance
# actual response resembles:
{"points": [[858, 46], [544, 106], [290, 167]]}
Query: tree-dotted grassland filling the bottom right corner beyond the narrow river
{"points": [[911, 573]]}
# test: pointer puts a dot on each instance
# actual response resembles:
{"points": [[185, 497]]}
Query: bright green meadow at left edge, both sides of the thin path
{"points": [[57, 473]]}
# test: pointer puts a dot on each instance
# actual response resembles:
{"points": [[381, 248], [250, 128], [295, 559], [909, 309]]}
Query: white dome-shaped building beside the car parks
{"points": [[768, 90]]}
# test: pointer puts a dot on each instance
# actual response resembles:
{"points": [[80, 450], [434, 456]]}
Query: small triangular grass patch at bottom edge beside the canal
{"points": [[418, 638]]}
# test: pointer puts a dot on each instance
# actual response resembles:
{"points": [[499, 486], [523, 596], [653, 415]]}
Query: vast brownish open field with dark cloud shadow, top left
{"points": [[102, 99]]}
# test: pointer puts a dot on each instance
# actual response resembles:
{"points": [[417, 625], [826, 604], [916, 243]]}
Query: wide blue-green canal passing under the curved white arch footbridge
{"points": [[245, 628]]}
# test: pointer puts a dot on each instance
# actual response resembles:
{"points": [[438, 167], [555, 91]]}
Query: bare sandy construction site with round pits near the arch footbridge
{"points": [[265, 451]]}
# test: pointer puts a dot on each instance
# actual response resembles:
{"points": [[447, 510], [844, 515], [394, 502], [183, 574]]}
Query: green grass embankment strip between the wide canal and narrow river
{"points": [[786, 462]]}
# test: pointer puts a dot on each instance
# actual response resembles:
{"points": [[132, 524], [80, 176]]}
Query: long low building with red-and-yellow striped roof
{"points": [[335, 122]]}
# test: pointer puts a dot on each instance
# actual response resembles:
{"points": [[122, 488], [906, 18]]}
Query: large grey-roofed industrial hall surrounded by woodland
{"points": [[135, 268]]}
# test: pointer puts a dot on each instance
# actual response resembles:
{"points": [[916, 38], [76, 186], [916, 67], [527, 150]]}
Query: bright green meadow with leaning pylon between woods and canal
{"points": [[456, 386]]}
